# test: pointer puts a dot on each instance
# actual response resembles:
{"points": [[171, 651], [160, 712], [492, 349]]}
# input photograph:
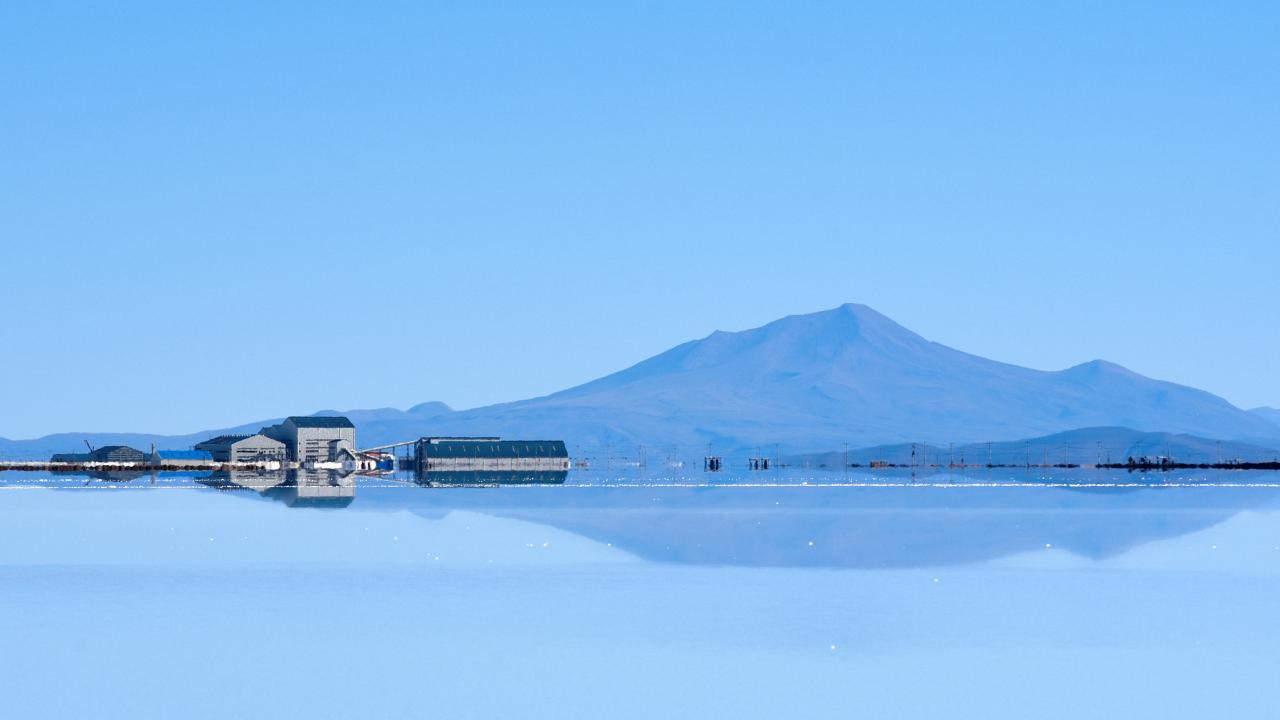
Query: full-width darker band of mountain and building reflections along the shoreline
{"points": [[815, 521]]}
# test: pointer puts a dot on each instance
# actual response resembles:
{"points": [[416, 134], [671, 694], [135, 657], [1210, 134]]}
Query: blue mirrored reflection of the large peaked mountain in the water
{"points": [[853, 527]]}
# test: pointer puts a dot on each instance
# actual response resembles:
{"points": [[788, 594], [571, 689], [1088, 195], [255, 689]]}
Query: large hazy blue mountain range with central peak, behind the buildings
{"points": [[813, 384]]}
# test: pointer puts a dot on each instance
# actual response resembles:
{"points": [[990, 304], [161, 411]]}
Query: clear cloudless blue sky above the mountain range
{"points": [[213, 213]]}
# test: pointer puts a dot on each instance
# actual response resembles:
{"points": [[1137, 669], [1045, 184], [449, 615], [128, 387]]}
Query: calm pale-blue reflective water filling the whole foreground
{"points": [[766, 596]]}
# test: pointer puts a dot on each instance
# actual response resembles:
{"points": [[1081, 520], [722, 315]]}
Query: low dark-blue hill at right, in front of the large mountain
{"points": [[1086, 446]]}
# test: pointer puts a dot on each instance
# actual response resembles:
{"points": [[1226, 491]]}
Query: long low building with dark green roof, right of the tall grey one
{"points": [[476, 454]]}
